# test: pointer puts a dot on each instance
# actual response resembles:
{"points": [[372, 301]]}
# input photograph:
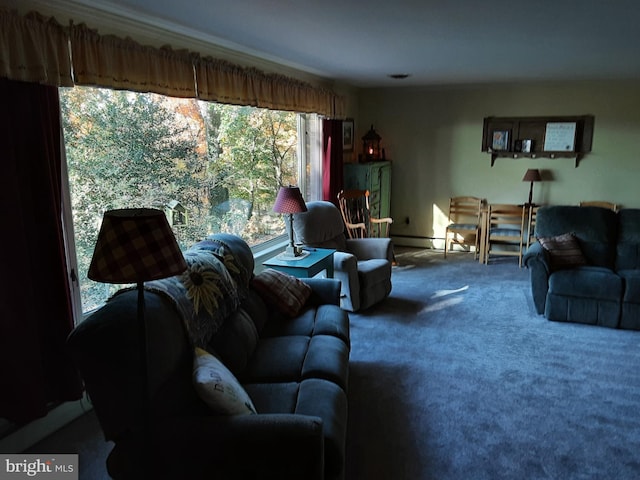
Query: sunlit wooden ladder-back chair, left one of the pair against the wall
{"points": [[464, 223]]}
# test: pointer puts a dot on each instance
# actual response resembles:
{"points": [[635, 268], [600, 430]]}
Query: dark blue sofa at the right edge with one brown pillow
{"points": [[585, 266]]}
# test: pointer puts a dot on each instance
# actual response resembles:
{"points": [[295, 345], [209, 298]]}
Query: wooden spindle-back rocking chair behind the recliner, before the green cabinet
{"points": [[355, 208]]}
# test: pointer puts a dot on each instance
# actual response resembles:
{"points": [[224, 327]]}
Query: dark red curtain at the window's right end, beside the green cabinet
{"points": [[332, 164]]}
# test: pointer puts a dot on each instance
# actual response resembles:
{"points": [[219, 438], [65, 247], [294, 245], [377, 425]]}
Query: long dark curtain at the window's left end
{"points": [[35, 301]]}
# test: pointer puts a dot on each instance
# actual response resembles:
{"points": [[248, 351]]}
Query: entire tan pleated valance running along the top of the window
{"points": [[36, 49]]}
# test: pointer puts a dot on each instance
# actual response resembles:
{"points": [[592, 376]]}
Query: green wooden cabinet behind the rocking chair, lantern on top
{"points": [[375, 177]]}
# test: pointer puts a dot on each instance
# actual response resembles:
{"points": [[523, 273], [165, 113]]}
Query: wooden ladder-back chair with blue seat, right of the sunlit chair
{"points": [[504, 229]]}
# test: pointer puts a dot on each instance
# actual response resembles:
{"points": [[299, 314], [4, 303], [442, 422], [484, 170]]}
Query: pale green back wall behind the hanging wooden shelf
{"points": [[434, 136]]}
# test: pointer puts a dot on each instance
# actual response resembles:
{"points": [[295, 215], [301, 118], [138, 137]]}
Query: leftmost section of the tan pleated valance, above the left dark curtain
{"points": [[34, 49]]}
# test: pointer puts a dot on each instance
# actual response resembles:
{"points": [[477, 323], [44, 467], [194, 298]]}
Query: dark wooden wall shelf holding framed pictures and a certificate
{"points": [[532, 137]]}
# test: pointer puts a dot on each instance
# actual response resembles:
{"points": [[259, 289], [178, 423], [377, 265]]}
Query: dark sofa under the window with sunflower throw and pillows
{"points": [[255, 388]]}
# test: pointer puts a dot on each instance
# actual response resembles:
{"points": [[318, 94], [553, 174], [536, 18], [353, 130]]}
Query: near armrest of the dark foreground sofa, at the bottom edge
{"points": [[282, 446]]}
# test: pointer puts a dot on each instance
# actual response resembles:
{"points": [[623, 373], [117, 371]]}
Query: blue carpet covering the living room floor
{"points": [[455, 376]]}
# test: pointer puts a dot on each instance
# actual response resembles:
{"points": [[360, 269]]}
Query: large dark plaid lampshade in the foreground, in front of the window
{"points": [[135, 245]]}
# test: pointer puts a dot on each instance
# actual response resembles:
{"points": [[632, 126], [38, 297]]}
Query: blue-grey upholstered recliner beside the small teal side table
{"points": [[363, 265]]}
